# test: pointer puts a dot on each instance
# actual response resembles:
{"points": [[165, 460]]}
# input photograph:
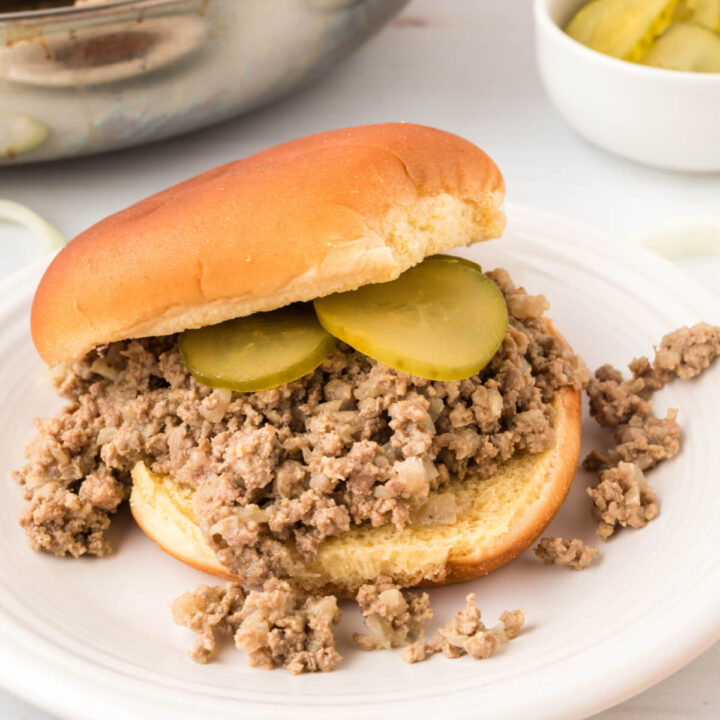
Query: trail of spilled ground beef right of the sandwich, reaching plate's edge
{"points": [[623, 497]]}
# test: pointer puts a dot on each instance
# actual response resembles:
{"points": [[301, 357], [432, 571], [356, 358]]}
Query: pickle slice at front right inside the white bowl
{"points": [[688, 47]]}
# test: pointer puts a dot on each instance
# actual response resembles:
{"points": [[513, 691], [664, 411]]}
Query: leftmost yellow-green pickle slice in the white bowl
{"points": [[624, 29]]}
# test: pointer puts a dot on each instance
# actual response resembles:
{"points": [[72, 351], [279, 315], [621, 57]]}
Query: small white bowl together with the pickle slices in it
{"points": [[640, 78]]}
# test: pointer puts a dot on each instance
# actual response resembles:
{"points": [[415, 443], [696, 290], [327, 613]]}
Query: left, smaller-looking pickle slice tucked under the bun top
{"points": [[257, 352]]}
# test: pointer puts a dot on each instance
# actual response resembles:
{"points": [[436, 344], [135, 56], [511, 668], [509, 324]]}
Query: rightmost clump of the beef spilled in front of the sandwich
{"points": [[465, 634]]}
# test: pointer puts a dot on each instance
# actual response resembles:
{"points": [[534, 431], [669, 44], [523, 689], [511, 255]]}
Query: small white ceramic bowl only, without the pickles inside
{"points": [[664, 118]]}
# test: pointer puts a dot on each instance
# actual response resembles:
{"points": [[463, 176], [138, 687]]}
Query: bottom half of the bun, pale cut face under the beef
{"points": [[505, 514]]}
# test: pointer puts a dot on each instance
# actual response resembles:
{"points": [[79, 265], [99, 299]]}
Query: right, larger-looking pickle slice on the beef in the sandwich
{"points": [[443, 319]]}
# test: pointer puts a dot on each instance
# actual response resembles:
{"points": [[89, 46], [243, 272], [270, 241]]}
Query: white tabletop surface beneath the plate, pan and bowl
{"points": [[463, 65]]}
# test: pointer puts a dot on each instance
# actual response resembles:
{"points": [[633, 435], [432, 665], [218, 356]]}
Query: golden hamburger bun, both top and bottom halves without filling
{"points": [[319, 215]]}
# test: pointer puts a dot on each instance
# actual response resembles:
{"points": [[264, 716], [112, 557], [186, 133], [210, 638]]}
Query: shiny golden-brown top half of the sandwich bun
{"points": [[318, 215]]}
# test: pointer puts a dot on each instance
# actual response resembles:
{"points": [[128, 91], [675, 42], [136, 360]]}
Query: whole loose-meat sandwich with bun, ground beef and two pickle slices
{"points": [[289, 374]]}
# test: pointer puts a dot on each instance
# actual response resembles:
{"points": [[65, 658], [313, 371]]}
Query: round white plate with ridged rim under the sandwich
{"points": [[94, 638]]}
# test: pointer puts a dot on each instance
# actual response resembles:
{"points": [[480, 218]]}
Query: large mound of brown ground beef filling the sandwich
{"points": [[352, 442]]}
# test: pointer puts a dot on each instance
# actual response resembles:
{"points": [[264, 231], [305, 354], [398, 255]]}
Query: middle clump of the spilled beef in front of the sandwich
{"points": [[393, 617]]}
